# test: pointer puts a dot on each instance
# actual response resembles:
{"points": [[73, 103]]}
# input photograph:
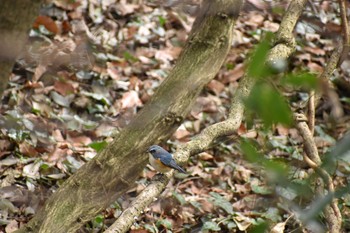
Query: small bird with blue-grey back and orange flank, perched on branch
{"points": [[162, 160]]}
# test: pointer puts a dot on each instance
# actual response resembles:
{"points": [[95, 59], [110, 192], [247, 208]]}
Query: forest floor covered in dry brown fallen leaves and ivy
{"points": [[87, 69]]}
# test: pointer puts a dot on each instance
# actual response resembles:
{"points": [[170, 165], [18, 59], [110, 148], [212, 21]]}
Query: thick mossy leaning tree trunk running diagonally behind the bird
{"points": [[113, 171]]}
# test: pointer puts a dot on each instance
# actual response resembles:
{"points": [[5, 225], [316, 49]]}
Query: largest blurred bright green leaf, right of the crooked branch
{"points": [[269, 105]]}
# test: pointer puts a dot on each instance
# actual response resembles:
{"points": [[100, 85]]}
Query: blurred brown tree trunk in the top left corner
{"points": [[16, 18]]}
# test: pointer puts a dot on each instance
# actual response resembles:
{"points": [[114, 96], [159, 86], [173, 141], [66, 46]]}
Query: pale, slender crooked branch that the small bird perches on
{"points": [[284, 47]]}
